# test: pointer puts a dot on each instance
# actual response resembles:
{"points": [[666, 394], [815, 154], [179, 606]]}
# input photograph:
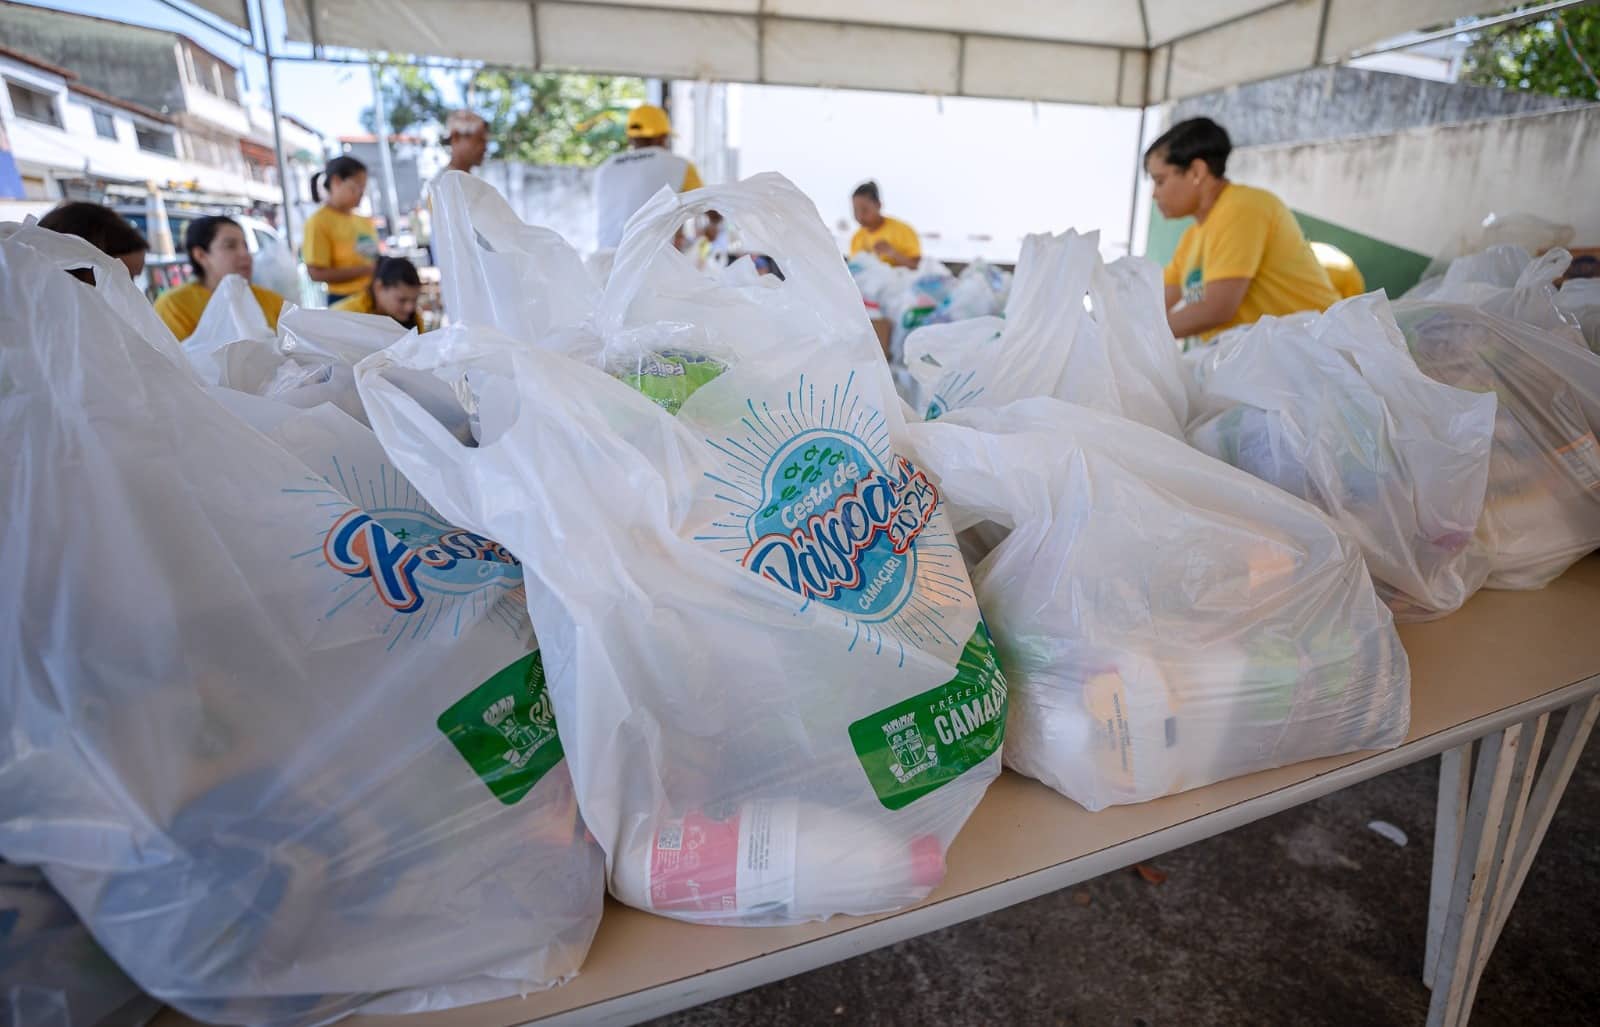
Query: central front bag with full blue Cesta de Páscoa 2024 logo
{"points": [[775, 690]]}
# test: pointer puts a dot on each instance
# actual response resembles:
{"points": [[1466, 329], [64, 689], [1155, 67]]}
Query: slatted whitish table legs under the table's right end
{"points": [[1487, 837]]}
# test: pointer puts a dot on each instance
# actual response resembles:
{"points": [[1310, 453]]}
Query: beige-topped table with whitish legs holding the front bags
{"points": [[1486, 685]]}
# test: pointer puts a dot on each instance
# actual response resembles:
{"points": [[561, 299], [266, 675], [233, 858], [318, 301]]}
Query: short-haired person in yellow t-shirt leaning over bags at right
{"points": [[1246, 257]]}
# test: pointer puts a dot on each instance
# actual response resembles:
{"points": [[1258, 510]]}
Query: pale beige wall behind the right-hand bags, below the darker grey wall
{"points": [[1396, 201]]}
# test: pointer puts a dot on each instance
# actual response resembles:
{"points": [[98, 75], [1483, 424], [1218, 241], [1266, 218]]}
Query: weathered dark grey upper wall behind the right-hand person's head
{"points": [[1335, 103]]}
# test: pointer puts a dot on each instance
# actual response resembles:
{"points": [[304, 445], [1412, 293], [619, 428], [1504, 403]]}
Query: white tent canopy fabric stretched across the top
{"points": [[1126, 54]]}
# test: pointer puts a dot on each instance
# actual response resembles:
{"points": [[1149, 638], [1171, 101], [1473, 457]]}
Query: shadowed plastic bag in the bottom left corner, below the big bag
{"points": [[52, 973]]}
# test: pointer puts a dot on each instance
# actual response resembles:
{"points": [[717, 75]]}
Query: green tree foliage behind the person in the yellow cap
{"points": [[538, 118]]}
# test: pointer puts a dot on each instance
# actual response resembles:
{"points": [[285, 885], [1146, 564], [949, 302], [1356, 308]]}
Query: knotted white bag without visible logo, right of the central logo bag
{"points": [[1166, 620]]}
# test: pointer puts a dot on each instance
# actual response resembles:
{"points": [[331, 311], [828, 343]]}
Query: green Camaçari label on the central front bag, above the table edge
{"points": [[927, 741]]}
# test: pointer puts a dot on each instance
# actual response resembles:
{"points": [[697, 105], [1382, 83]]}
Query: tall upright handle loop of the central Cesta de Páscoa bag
{"points": [[774, 217]]}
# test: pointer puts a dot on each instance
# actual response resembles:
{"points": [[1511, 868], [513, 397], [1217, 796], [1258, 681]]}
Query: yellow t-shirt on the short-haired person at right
{"points": [[1252, 234]]}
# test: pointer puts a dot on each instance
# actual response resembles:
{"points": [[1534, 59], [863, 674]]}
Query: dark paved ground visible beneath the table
{"points": [[1306, 919]]}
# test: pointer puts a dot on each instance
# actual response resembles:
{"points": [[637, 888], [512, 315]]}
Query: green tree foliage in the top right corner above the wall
{"points": [[1554, 55]]}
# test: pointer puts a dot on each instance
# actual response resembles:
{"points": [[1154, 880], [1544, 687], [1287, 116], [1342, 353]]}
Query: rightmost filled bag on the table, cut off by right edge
{"points": [[1542, 508]]}
